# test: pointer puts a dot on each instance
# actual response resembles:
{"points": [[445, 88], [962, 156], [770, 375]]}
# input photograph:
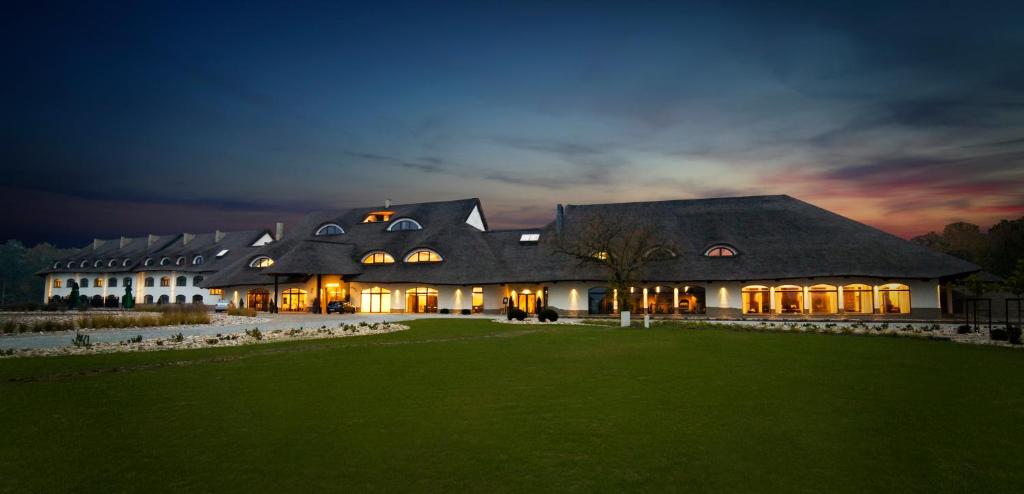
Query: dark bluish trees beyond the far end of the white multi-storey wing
{"points": [[19, 265]]}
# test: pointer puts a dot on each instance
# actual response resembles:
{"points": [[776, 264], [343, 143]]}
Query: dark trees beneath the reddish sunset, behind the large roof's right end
{"points": [[998, 252]]}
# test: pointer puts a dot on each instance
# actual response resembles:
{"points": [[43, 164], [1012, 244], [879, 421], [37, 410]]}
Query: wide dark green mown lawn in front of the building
{"points": [[478, 406]]}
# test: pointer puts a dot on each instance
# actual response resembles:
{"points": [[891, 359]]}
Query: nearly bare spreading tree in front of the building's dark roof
{"points": [[621, 244]]}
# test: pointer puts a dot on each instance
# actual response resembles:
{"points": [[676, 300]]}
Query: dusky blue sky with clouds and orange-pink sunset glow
{"points": [[168, 117]]}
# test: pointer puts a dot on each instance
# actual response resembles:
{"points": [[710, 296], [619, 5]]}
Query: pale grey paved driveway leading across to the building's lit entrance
{"points": [[277, 321]]}
